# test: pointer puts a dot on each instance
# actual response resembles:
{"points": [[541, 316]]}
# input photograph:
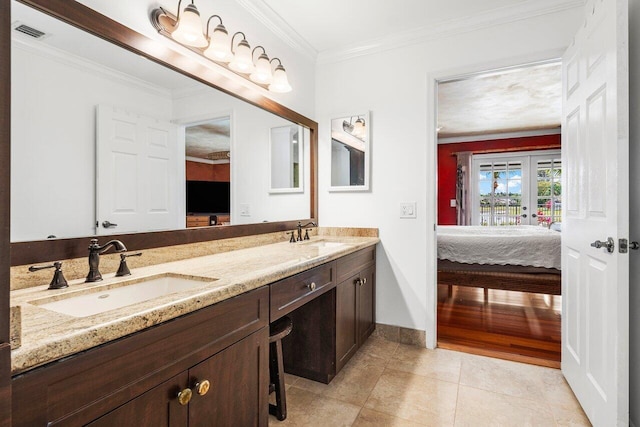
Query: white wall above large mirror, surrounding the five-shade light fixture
{"points": [[300, 68]]}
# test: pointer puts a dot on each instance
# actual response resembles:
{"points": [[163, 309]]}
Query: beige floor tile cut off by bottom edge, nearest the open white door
{"points": [[477, 408]]}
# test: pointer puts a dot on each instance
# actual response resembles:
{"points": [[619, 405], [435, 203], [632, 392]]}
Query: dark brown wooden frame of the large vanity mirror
{"points": [[95, 23]]}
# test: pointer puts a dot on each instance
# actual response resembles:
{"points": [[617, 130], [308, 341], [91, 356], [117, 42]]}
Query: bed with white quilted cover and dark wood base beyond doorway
{"points": [[522, 258]]}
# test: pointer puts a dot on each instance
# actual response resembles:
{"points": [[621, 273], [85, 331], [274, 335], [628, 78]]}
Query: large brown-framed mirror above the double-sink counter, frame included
{"points": [[148, 84]]}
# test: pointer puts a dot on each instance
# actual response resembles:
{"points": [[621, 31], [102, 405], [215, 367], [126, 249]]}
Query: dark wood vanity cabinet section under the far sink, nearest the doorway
{"points": [[355, 303]]}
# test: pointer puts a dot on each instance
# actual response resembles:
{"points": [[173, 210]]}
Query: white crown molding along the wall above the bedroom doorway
{"points": [[494, 17]]}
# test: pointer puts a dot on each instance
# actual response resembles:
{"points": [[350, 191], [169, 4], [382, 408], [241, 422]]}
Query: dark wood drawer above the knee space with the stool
{"points": [[293, 292]]}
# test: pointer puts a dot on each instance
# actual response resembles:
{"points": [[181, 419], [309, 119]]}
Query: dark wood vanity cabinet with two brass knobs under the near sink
{"points": [[136, 380]]}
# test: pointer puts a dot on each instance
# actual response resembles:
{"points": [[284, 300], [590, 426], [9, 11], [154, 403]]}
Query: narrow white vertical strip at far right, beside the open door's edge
{"points": [[634, 225]]}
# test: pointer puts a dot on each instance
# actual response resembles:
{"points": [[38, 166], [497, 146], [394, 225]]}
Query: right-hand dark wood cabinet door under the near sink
{"points": [[238, 385]]}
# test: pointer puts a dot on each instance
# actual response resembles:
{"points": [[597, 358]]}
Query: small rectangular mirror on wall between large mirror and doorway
{"points": [[350, 151]]}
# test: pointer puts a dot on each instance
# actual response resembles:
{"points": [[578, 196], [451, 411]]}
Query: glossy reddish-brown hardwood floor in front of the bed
{"points": [[509, 325]]}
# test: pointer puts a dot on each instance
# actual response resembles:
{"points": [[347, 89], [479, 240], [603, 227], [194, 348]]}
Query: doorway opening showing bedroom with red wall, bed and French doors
{"points": [[499, 211]]}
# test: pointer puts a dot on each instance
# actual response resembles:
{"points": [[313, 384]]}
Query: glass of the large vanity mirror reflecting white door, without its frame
{"points": [[58, 82]]}
